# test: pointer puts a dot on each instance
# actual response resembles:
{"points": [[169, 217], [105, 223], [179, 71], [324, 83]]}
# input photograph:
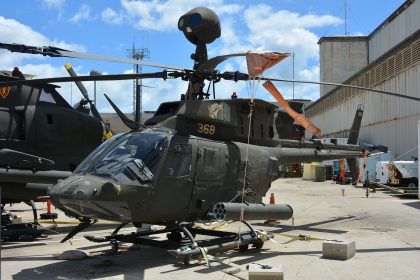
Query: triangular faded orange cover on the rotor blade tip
{"points": [[258, 62]]}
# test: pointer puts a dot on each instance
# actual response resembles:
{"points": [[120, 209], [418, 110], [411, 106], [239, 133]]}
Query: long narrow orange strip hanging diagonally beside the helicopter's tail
{"points": [[299, 118]]}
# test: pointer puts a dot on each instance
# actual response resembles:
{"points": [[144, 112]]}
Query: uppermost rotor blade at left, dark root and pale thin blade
{"points": [[57, 52]]}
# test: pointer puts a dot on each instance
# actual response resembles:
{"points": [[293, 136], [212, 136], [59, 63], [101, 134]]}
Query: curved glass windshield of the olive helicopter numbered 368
{"points": [[132, 159]]}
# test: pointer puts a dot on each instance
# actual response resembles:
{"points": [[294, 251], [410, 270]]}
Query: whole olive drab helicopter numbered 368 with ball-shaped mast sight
{"points": [[196, 159]]}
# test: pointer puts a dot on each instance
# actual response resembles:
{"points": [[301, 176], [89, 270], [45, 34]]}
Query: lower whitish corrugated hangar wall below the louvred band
{"points": [[388, 121]]}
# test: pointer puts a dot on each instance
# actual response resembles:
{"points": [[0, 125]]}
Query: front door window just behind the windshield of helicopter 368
{"points": [[179, 164]]}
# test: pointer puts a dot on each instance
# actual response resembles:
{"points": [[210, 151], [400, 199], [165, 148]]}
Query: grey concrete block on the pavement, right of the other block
{"points": [[338, 250]]}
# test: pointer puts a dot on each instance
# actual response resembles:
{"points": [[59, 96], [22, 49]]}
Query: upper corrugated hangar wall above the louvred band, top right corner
{"points": [[398, 29]]}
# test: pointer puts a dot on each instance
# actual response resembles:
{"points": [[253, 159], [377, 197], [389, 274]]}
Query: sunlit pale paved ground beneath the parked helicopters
{"points": [[385, 227]]}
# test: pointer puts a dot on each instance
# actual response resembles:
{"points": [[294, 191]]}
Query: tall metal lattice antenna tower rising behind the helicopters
{"points": [[137, 54]]}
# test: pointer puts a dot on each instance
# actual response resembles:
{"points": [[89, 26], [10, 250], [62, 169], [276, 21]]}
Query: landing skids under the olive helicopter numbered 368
{"points": [[189, 248]]}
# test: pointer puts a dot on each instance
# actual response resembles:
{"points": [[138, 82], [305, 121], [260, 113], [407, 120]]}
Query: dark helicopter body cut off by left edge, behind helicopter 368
{"points": [[42, 138]]}
